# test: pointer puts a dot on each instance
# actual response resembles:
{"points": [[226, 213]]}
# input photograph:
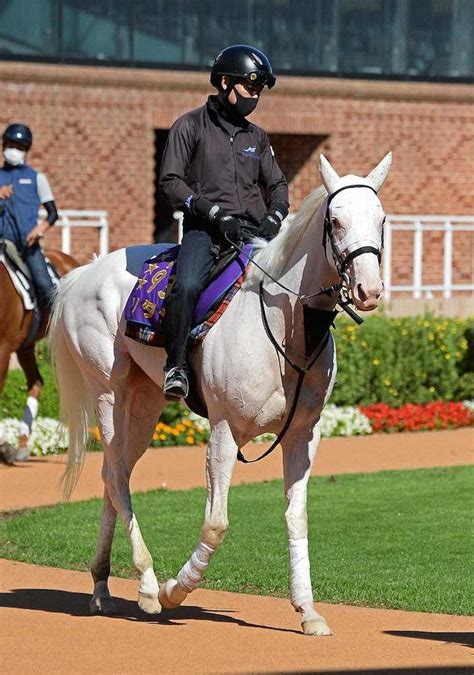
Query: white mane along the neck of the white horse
{"points": [[273, 255]]}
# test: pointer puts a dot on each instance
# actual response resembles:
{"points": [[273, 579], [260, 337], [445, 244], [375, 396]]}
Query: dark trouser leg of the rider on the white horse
{"points": [[195, 261]]}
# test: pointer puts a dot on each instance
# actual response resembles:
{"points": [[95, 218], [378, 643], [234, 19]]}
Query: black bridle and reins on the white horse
{"points": [[343, 300]]}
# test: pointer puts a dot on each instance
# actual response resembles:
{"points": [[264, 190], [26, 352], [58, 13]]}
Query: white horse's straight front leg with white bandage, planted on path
{"points": [[298, 456]]}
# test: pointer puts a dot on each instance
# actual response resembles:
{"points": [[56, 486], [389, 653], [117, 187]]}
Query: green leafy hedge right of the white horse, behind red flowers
{"points": [[397, 361]]}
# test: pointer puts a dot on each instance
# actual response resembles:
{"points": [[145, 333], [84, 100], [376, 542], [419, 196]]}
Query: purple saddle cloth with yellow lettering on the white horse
{"points": [[146, 305]]}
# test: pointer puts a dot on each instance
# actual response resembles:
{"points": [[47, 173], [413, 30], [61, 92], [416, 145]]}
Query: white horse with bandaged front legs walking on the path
{"points": [[245, 370]]}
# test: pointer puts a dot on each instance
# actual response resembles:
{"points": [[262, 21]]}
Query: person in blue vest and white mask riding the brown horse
{"points": [[22, 191]]}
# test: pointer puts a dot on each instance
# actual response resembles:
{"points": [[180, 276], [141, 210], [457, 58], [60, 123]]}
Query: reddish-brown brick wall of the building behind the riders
{"points": [[94, 131]]}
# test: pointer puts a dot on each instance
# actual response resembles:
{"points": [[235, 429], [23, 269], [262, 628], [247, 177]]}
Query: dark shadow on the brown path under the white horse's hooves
{"points": [[77, 605]]}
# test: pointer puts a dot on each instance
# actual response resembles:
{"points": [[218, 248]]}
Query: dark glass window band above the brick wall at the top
{"points": [[370, 38]]}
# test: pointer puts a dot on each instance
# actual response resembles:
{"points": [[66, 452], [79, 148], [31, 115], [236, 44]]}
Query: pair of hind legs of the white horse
{"points": [[127, 419]]}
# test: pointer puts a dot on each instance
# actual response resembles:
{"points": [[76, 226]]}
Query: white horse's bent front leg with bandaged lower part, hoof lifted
{"points": [[220, 461]]}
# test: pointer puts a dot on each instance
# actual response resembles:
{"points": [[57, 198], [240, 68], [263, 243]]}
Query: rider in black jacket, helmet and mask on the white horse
{"points": [[220, 170]]}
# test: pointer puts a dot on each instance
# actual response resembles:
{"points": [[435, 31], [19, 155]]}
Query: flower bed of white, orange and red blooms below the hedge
{"points": [[48, 437]]}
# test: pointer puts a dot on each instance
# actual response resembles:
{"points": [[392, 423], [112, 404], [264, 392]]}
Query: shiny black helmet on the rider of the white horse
{"points": [[243, 62]]}
